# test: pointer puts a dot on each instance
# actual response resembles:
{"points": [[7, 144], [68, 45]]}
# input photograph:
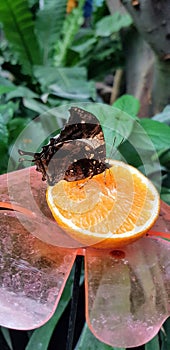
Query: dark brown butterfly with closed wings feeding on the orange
{"points": [[78, 152]]}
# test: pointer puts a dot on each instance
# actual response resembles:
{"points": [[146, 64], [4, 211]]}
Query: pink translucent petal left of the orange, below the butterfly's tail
{"points": [[25, 192]]}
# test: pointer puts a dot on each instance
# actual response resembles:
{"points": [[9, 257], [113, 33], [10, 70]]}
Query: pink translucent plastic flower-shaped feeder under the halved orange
{"points": [[127, 291]]}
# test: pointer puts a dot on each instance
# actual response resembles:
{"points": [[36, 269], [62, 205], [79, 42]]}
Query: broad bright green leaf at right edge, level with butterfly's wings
{"points": [[158, 132]]}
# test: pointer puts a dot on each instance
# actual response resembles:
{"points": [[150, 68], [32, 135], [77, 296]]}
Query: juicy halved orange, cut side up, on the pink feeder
{"points": [[109, 210]]}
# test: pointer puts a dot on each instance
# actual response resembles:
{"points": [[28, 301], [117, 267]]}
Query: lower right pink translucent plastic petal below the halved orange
{"points": [[128, 292]]}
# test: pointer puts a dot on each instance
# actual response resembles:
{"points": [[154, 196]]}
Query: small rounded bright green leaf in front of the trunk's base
{"points": [[128, 104]]}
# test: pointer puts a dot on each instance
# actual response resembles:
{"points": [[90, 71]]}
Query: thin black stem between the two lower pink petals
{"points": [[74, 303]]}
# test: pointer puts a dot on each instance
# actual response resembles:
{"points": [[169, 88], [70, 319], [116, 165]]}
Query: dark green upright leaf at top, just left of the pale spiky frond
{"points": [[49, 24]]}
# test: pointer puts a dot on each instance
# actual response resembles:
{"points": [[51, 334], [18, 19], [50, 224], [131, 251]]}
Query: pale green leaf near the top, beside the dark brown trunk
{"points": [[112, 24]]}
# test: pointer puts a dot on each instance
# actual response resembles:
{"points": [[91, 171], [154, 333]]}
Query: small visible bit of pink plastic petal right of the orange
{"points": [[162, 225]]}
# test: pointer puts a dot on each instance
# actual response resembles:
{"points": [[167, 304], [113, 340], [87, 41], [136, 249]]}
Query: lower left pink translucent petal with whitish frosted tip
{"points": [[32, 275]]}
